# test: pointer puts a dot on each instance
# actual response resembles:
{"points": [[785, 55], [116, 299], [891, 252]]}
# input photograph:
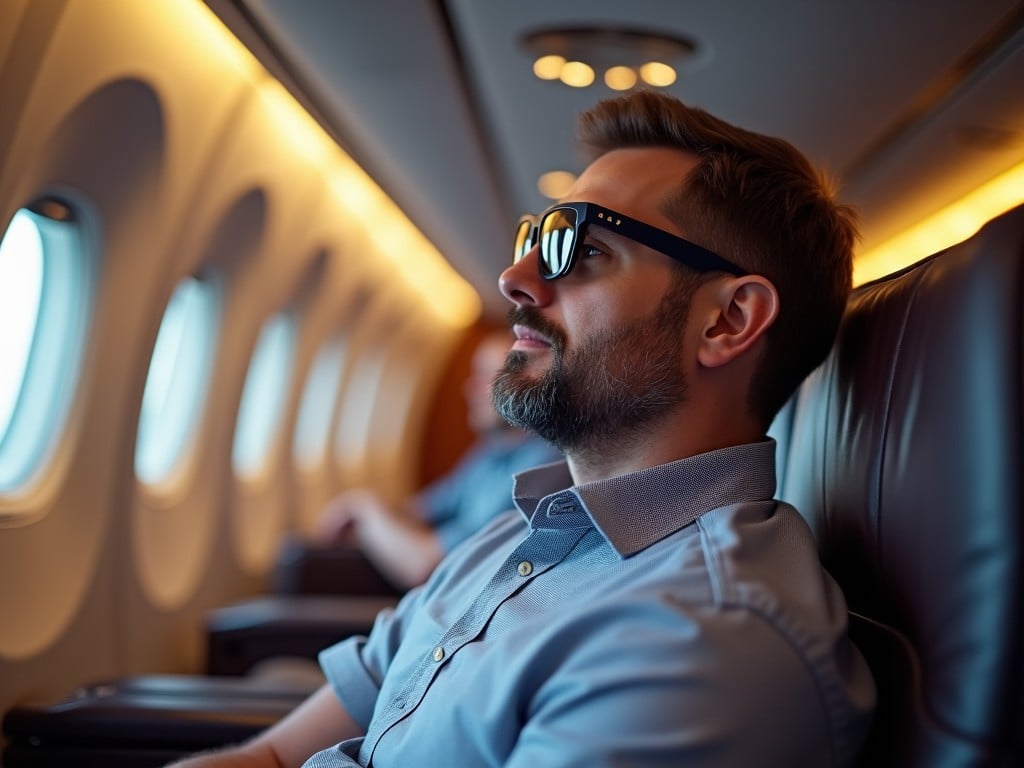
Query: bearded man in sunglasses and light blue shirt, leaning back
{"points": [[652, 606]]}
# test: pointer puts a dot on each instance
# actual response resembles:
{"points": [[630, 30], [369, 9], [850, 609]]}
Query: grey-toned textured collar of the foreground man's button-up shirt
{"points": [[635, 510]]}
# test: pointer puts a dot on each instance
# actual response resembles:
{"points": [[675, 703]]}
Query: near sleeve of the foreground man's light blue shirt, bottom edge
{"points": [[727, 692]]}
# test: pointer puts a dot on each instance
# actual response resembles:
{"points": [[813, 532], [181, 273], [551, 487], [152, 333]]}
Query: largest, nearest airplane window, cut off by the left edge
{"points": [[46, 284]]}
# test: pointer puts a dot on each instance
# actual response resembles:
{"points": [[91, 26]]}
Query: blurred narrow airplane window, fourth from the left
{"points": [[319, 397]]}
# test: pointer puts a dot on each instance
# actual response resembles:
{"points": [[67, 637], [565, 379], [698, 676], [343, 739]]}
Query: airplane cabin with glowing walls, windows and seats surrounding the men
{"points": [[248, 247]]}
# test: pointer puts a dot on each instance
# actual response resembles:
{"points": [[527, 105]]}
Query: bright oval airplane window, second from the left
{"points": [[180, 371]]}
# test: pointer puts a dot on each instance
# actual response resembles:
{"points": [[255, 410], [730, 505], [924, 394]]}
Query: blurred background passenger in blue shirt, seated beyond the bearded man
{"points": [[406, 542]]}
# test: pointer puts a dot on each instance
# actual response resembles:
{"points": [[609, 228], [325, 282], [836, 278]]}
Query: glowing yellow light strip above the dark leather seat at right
{"points": [[948, 228]]}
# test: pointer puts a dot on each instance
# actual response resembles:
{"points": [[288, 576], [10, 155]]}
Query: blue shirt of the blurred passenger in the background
{"points": [[480, 488]]}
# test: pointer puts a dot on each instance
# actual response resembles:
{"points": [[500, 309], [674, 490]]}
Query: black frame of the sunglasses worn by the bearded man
{"points": [[671, 245]]}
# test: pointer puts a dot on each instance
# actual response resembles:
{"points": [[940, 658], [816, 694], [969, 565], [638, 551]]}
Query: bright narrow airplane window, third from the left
{"points": [[264, 397]]}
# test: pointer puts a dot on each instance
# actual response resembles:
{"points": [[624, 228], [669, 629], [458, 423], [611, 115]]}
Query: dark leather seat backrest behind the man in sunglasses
{"points": [[904, 452]]}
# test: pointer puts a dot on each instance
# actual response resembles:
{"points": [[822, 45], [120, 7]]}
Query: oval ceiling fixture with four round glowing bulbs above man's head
{"points": [[627, 57]]}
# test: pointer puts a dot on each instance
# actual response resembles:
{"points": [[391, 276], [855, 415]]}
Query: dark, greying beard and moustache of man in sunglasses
{"points": [[613, 387]]}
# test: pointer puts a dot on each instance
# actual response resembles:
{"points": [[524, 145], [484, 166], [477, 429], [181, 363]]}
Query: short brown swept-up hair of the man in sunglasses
{"points": [[758, 202]]}
